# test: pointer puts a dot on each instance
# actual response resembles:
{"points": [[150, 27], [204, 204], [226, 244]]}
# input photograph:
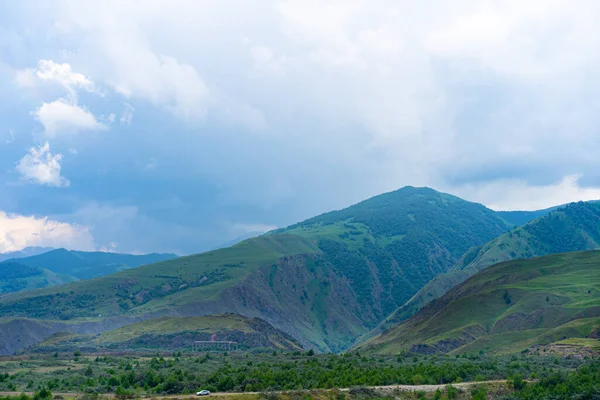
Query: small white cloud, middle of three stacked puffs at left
{"points": [[61, 117]]}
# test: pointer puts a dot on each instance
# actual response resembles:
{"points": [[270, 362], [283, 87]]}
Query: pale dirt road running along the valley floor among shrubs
{"points": [[404, 388]]}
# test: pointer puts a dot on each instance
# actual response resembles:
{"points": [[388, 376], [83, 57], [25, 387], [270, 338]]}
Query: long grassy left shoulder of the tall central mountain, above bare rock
{"points": [[204, 275]]}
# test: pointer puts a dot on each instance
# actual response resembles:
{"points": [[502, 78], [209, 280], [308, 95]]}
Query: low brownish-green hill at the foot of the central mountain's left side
{"points": [[175, 333]]}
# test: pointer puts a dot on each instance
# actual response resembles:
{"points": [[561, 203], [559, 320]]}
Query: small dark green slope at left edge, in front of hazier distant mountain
{"points": [[15, 276]]}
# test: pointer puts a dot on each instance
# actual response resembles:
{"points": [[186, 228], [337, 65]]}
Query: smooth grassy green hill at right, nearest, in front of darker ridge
{"points": [[508, 307]]}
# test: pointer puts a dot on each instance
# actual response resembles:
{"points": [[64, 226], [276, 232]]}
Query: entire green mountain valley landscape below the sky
{"points": [[402, 294]]}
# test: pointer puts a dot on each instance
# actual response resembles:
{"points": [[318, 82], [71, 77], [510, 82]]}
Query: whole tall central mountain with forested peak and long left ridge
{"points": [[324, 281]]}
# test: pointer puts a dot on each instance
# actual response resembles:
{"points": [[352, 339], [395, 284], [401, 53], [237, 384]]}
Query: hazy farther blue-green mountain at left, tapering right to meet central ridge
{"points": [[86, 265]]}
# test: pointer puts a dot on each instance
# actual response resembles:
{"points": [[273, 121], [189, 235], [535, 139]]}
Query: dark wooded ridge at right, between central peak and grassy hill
{"points": [[574, 227]]}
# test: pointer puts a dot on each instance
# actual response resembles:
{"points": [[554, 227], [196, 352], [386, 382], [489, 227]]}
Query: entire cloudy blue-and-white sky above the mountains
{"points": [[176, 126]]}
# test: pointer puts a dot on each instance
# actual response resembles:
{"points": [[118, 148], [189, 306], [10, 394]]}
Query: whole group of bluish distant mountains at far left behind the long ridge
{"points": [[56, 267]]}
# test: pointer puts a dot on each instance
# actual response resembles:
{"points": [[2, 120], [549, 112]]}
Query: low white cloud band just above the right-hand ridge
{"points": [[519, 195]]}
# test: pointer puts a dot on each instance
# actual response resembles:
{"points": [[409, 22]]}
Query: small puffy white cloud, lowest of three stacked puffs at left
{"points": [[42, 167]]}
